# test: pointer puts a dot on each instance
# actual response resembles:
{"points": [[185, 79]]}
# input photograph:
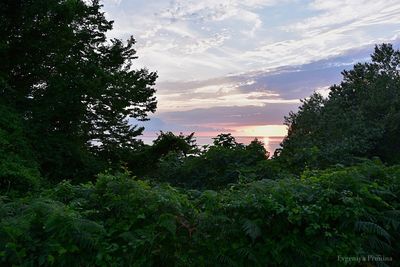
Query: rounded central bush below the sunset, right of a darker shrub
{"points": [[217, 166]]}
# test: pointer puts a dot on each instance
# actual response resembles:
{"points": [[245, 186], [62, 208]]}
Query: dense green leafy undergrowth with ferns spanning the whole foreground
{"points": [[122, 221]]}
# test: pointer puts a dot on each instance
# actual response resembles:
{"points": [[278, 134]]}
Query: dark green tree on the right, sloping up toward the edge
{"points": [[360, 118]]}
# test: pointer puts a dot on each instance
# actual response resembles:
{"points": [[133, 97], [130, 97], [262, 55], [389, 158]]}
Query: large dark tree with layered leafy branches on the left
{"points": [[74, 88]]}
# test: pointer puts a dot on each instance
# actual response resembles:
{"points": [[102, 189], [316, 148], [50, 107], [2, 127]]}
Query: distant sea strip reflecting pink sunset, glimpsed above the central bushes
{"points": [[270, 143]]}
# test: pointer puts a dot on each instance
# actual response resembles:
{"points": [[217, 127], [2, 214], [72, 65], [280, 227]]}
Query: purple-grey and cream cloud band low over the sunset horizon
{"points": [[258, 98]]}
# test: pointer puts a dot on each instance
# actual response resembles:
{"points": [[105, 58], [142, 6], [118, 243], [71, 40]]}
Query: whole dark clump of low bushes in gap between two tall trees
{"points": [[212, 167]]}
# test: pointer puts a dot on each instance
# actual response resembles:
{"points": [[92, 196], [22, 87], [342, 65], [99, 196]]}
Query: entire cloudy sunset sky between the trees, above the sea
{"points": [[241, 66]]}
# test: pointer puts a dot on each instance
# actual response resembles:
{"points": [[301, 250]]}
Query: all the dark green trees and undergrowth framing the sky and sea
{"points": [[79, 188]]}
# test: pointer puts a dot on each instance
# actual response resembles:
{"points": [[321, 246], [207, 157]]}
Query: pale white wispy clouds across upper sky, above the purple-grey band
{"points": [[187, 39]]}
